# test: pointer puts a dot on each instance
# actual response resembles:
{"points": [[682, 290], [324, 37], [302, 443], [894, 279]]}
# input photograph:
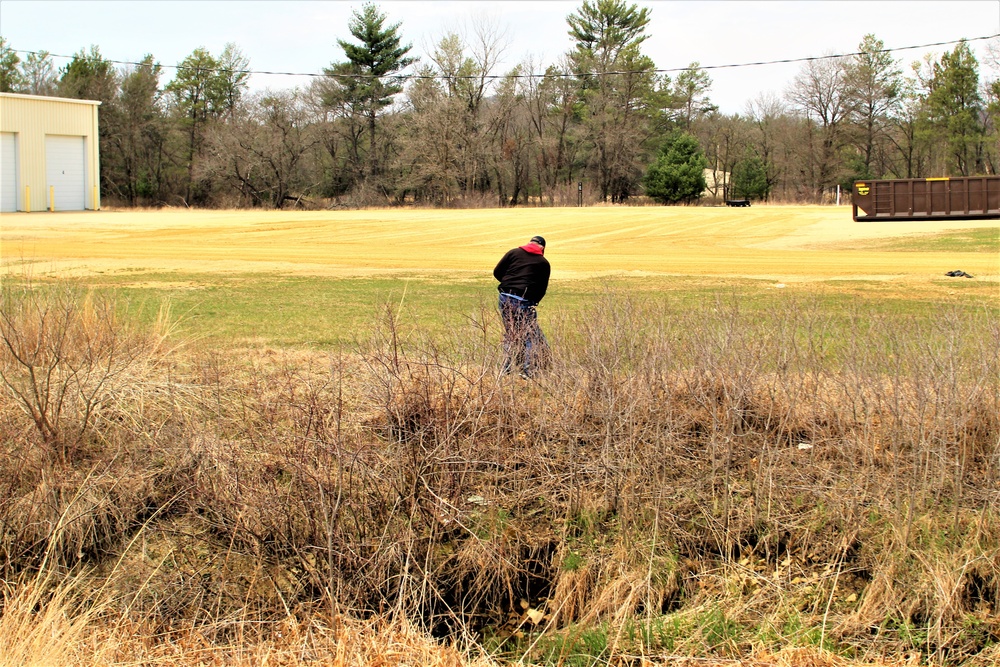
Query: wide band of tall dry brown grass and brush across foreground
{"points": [[713, 482]]}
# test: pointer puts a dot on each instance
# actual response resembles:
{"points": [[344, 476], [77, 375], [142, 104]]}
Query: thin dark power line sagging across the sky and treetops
{"points": [[415, 76]]}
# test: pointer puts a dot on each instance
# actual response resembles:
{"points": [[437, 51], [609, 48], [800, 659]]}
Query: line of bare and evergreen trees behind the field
{"points": [[382, 127]]}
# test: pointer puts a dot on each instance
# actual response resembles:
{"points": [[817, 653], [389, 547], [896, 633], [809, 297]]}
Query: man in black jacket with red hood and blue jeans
{"points": [[523, 274]]}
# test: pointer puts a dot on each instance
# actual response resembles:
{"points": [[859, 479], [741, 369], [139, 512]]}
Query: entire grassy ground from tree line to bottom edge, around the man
{"points": [[711, 470]]}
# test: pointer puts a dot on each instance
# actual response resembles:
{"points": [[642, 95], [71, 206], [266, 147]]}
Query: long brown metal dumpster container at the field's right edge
{"points": [[927, 198]]}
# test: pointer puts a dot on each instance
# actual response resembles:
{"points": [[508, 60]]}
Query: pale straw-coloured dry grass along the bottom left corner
{"points": [[47, 623]]}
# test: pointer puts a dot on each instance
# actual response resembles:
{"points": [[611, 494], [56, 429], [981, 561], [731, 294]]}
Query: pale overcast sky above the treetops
{"points": [[301, 36]]}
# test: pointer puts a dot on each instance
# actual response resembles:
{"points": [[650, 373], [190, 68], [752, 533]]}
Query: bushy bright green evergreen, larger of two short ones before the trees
{"points": [[678, 175]]}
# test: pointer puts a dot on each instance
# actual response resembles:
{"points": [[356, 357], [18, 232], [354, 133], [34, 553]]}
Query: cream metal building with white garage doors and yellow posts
{"points": [[48, 154]]}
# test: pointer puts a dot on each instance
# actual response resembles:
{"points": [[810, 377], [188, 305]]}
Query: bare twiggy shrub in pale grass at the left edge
{"points": [[77, 368]]}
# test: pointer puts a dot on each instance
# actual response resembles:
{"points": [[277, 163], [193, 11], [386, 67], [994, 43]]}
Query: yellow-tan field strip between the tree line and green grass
{"points": [[781, 243]]}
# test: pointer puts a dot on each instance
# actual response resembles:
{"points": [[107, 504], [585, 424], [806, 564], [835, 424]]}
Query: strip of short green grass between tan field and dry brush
{"points": [[336, 313]]}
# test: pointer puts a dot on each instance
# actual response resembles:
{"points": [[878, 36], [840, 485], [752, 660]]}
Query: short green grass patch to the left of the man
{"points": [[293, 311]]}
